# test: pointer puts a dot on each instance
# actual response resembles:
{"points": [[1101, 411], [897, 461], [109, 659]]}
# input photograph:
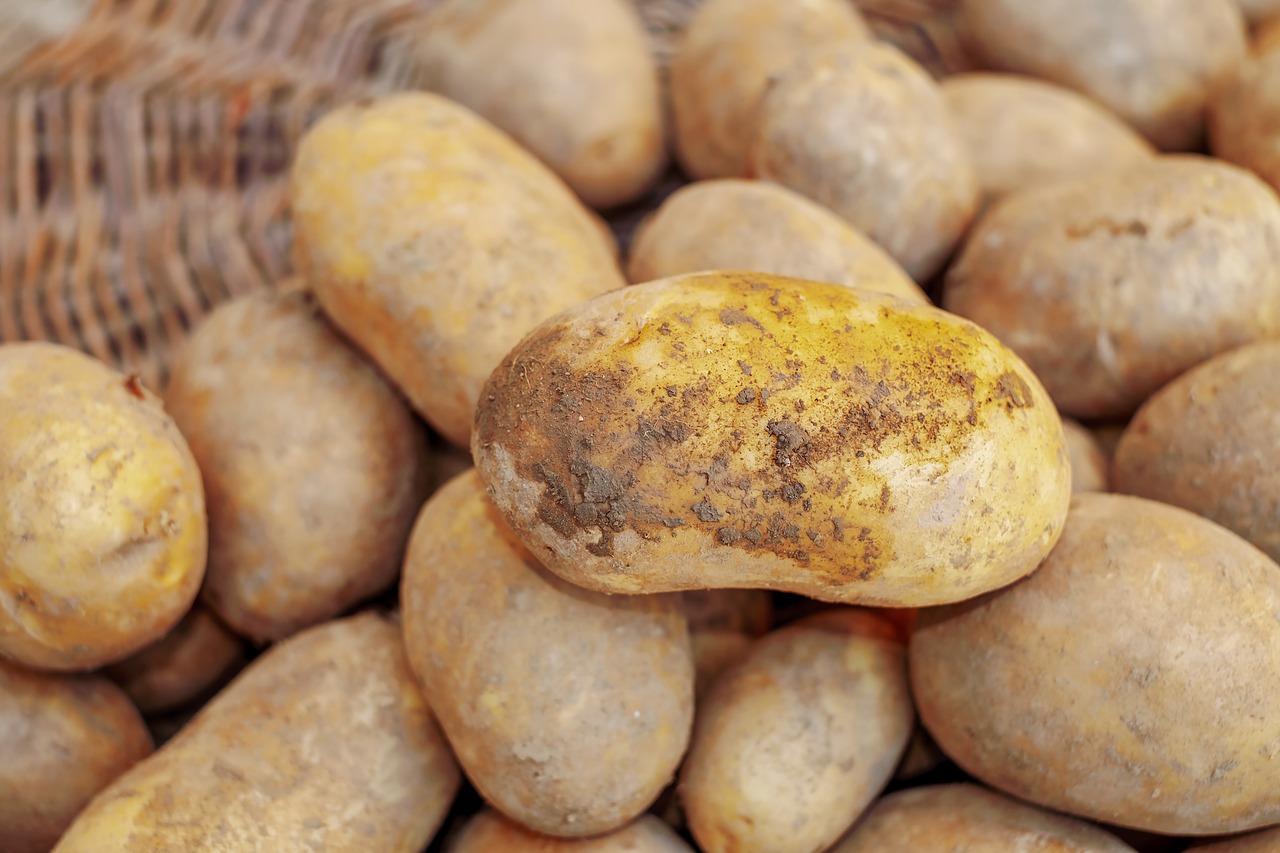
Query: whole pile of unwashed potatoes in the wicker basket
{"points": [[908, 483]]}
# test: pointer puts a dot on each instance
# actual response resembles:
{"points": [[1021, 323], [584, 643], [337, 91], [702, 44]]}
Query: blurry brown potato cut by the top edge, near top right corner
{"points": [[1153, 62]]}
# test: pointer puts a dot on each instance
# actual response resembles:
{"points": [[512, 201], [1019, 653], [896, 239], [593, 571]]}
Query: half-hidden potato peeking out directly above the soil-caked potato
{"points": [[761, 227]]}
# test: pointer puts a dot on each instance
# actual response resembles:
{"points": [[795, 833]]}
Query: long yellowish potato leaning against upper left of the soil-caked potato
{"points": [[436, 243]]}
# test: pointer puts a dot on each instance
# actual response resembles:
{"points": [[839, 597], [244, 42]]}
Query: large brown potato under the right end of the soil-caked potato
{"points": [[1089, 687]]}
